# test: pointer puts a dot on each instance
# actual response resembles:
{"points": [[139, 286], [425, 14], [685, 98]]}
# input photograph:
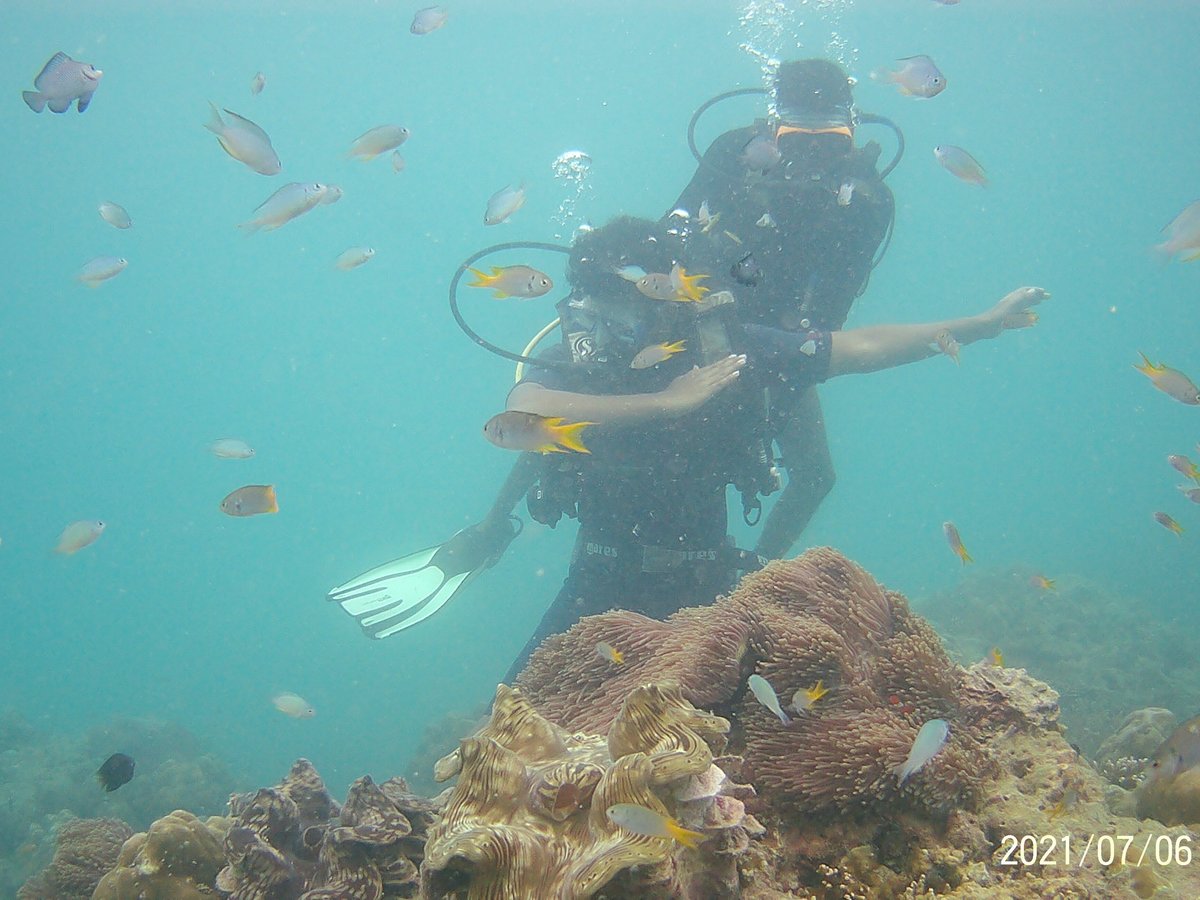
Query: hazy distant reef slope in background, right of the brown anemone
{"points": [[1089, 643]]}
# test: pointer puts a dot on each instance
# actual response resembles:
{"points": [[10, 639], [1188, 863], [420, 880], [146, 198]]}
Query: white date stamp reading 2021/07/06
{"points": [[1066, 850]]}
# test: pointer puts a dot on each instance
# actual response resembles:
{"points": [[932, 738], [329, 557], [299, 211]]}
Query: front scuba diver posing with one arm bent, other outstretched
{"points": [[668, 441]]}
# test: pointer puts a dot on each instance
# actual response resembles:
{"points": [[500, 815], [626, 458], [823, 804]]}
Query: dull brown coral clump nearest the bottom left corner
{"points": [[86, 849]]}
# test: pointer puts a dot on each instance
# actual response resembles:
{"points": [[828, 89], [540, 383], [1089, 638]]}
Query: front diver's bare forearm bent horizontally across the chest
{"points": [[687, 393]]}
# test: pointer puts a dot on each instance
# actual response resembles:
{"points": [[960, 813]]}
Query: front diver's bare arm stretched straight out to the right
{"points": [[878, 347]]}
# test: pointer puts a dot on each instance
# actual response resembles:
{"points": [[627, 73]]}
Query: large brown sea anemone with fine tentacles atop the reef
{"points": [[819, 617]]}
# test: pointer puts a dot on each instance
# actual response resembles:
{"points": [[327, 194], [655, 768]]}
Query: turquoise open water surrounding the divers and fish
{"points": [[365, 403]]}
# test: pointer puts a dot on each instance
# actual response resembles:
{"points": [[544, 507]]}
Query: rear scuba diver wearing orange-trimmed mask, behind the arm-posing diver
{"points": [[796, 242]]}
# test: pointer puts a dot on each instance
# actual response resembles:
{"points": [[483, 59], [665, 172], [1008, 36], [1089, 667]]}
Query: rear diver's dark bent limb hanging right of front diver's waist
{"points": [[811, 477]]}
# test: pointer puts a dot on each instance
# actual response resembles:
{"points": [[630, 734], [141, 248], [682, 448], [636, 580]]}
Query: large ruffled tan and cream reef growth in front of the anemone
{"points": [[527, 818]]}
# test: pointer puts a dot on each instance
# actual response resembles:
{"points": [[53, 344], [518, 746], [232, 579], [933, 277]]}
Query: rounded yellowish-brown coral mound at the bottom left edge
{"points": [[178, 859]]}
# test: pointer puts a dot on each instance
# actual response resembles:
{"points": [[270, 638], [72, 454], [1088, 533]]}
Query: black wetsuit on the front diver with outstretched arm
{"points": [[652, 499]]}
